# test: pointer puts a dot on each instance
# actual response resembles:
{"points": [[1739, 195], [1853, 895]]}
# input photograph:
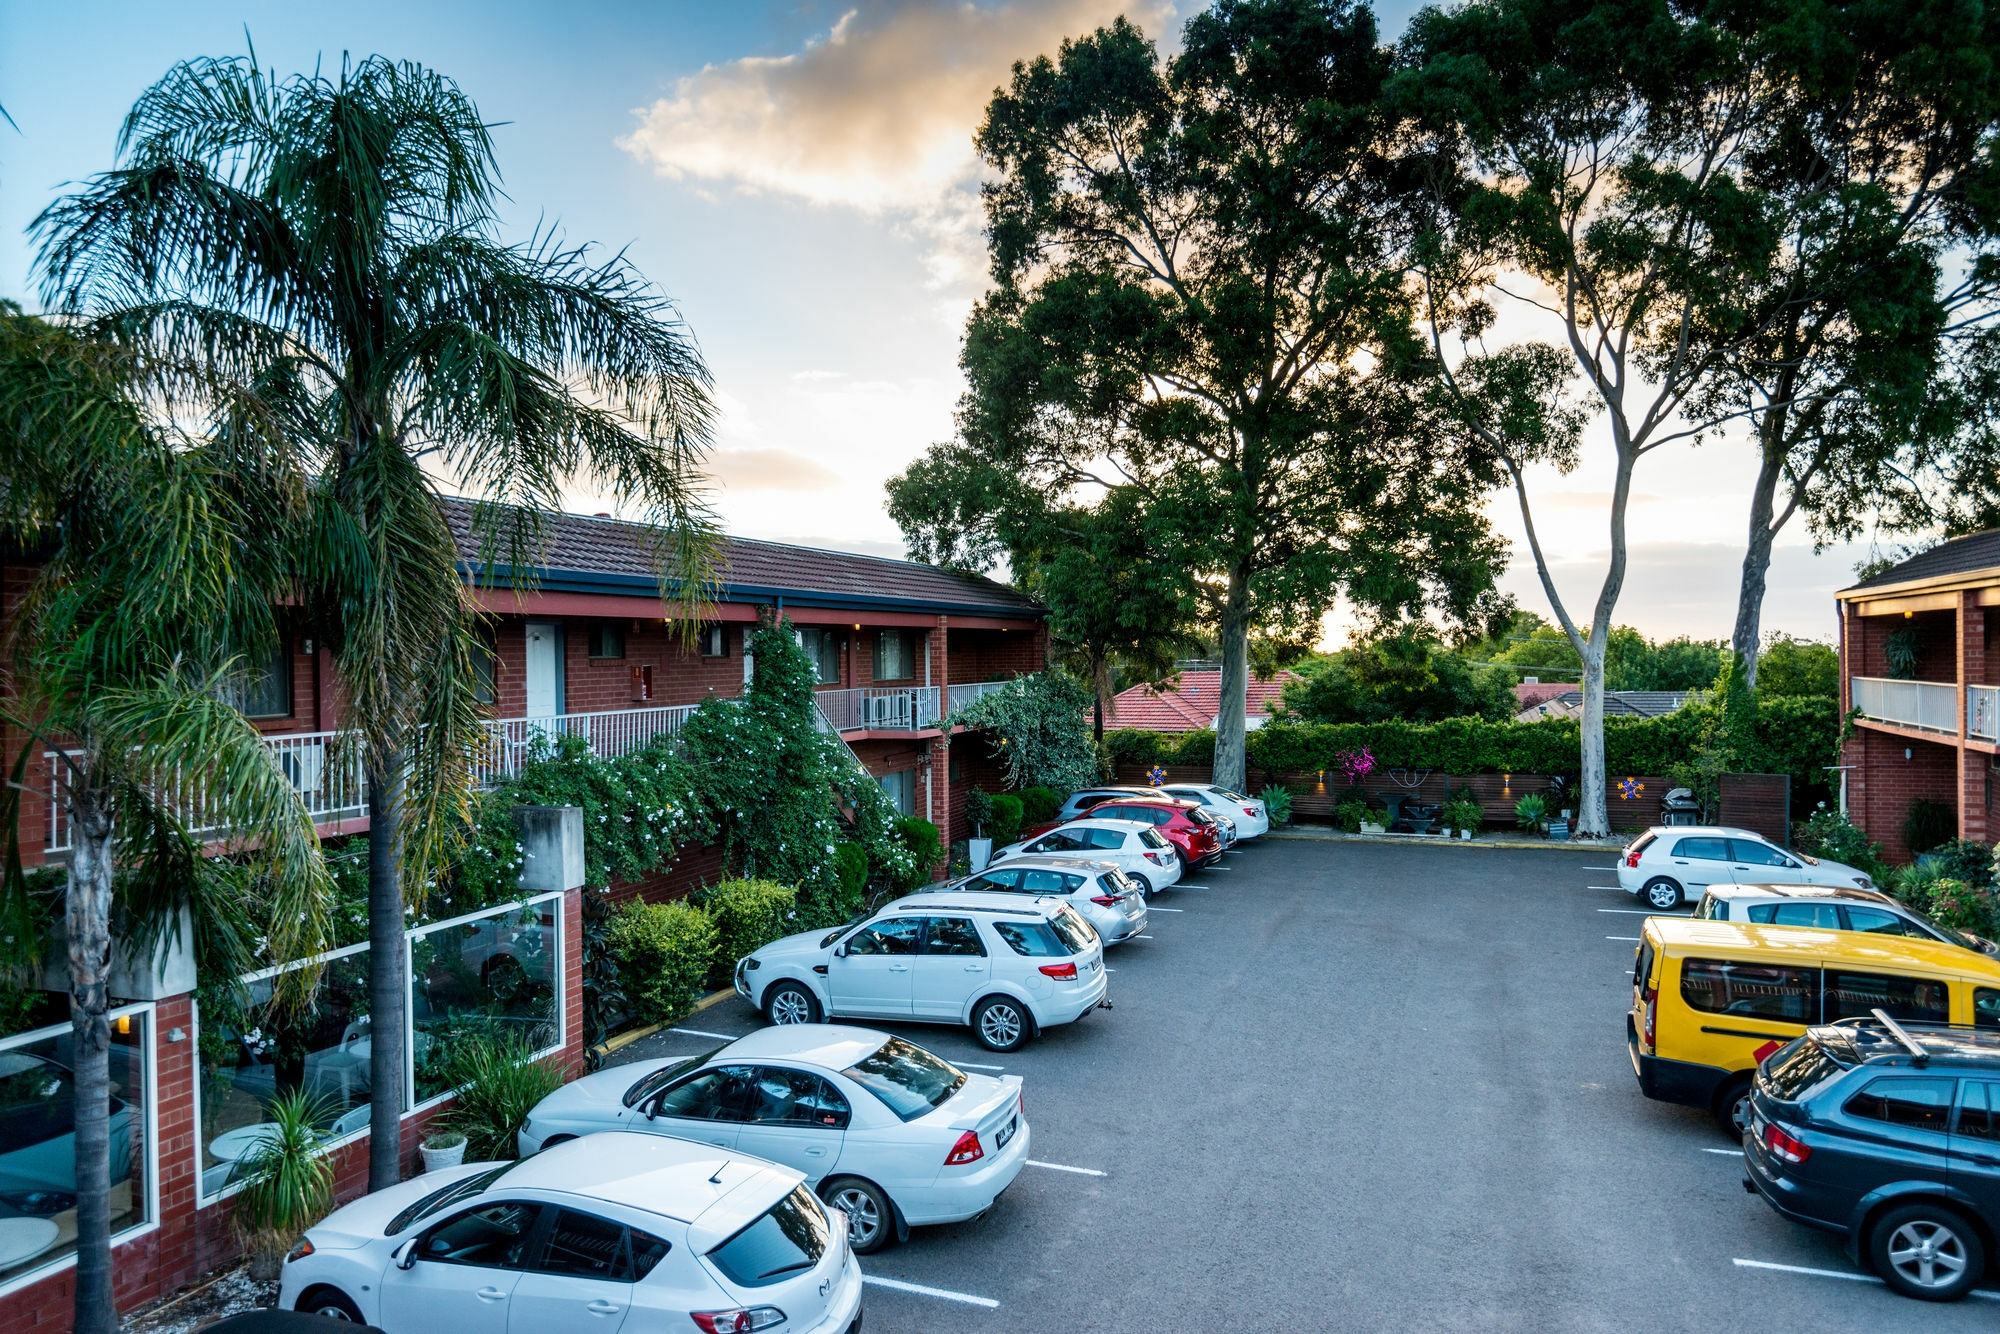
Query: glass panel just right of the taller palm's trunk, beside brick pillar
{"points": [[487, 979]]}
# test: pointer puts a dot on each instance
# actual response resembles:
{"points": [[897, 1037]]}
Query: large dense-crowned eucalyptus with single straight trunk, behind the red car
{"points": [[1201, 297]]}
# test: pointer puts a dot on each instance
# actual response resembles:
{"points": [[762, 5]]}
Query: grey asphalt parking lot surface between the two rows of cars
{"points": [[1365, 1087]]}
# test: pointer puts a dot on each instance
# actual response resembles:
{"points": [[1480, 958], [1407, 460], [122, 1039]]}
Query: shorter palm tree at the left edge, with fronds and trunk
{"points": [[153, 569]]}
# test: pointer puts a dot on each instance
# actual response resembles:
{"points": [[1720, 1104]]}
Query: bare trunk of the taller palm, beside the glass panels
{"points": [[387, 967]]}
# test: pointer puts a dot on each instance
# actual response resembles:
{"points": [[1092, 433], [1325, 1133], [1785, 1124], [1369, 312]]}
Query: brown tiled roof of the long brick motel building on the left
{"points": [[581, 545]]}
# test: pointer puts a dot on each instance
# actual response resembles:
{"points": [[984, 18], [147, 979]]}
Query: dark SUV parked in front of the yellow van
{"points": [[1891, 1135]]}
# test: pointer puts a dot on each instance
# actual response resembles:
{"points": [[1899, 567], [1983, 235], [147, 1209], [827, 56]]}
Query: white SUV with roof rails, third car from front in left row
{"points": [[1007, 965]]}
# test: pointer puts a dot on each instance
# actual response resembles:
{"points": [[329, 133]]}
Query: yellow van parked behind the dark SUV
{"points": [[1715, 999]]}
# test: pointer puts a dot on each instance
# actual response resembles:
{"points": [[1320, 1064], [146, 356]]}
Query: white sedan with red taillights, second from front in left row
{"points": [[885, 1131]]}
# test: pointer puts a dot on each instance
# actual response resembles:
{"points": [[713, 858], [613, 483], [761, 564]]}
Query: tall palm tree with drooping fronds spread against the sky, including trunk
{"points": [[333, 243]]}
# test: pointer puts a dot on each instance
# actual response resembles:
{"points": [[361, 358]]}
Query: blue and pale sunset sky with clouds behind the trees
{"points": [[801, 181]]}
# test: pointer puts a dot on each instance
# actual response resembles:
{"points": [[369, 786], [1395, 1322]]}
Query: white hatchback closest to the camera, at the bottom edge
{"points": [[599, 1233]]}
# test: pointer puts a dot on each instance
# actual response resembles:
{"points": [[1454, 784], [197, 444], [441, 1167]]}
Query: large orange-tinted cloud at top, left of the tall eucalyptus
{"points": [[875, 117]]}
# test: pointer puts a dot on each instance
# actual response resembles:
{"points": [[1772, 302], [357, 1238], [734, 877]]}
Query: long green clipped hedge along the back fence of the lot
{"points": [[1797, 737]]}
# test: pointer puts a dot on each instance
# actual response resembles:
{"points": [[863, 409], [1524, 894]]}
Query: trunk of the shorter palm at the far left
{"points": [[87, 925]]}
